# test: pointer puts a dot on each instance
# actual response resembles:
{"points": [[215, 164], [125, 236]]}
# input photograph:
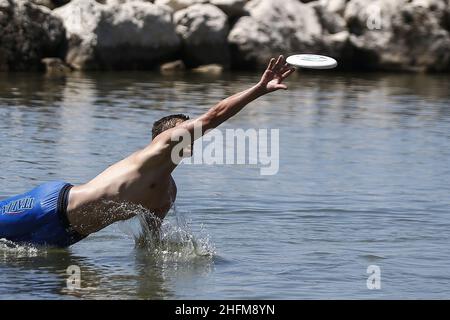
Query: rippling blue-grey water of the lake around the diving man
{"points": [[363, 180]]}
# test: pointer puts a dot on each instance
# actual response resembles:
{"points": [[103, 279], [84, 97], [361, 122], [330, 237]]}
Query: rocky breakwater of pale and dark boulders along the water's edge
{"points": [[407, 35]]}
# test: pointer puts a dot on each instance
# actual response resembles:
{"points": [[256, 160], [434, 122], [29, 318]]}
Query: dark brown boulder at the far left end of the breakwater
{"points": [[29, 33]]}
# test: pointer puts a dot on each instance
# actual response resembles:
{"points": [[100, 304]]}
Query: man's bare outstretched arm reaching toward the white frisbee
{"points": [[272, 80]]}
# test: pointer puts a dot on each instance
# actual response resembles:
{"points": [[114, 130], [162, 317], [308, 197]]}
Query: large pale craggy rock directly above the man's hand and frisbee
{"points": [[273, 28]]}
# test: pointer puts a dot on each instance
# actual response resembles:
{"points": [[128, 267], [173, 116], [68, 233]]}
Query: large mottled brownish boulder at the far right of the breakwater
{"points": [[399, 34]]}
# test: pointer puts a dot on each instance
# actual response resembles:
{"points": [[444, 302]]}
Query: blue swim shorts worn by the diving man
{"points": [[39, 216]]}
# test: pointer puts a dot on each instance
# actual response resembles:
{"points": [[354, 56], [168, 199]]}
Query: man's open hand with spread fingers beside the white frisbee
{"points": [[274, 75]]}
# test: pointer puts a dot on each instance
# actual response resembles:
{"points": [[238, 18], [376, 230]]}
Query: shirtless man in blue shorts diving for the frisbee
{"points": [[59, 214]]}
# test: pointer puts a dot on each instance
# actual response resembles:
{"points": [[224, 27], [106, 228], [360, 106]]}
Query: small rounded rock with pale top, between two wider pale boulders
{"points": [[203, 29]]}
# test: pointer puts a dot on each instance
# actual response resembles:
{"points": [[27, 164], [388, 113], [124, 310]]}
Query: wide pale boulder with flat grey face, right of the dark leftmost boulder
{"points": [[114, 35]]}
